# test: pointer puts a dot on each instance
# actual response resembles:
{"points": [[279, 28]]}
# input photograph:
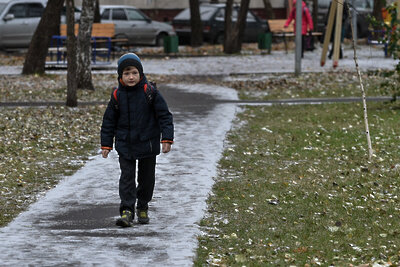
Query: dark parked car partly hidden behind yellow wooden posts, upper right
{"points": [[363, 9]]}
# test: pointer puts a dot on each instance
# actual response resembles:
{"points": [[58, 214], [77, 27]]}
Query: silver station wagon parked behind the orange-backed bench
{"points": [[132, 24]]}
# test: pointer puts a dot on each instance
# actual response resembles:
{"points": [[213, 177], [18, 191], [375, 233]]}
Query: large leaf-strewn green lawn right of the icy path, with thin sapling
{"points": [[295, 188]]}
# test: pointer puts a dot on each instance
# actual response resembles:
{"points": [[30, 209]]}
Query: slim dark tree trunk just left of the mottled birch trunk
{"points": [[72, 100]]}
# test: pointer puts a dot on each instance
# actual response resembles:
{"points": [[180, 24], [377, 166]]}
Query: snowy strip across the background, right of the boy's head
{"points": [[369, 58]]}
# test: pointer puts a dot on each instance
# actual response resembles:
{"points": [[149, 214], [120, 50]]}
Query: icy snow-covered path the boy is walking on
{"points": [[74, 223]]}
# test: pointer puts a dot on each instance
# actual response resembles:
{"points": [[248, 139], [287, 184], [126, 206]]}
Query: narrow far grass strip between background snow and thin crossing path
{"points": [[314, 85]]}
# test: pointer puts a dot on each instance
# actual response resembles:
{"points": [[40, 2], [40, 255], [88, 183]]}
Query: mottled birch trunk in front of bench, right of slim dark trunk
{"points": [[84, 48]]}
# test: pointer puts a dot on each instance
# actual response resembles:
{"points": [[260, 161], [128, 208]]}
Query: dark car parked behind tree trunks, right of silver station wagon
{"points": [[213, 17]]}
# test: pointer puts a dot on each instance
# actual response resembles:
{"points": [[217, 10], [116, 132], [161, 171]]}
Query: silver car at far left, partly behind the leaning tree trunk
{"points": [[19, 19]]}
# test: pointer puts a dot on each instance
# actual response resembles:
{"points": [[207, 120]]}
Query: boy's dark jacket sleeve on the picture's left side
{"points": [[109, 125]]}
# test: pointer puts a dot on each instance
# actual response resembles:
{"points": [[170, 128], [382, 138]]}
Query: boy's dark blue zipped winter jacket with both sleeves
{"points": [[137, 124]]}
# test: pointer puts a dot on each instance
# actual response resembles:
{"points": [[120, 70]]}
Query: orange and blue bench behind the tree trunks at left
{"points": [[102, 39]]}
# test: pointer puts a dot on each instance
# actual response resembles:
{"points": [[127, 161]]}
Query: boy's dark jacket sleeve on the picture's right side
{"points": [[165, 118]]}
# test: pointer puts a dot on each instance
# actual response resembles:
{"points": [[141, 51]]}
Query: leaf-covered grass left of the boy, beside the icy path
{"points": [[39, 146]]}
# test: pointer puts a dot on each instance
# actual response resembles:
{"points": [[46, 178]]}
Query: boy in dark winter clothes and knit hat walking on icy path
{"points": [[137, 116]]}
